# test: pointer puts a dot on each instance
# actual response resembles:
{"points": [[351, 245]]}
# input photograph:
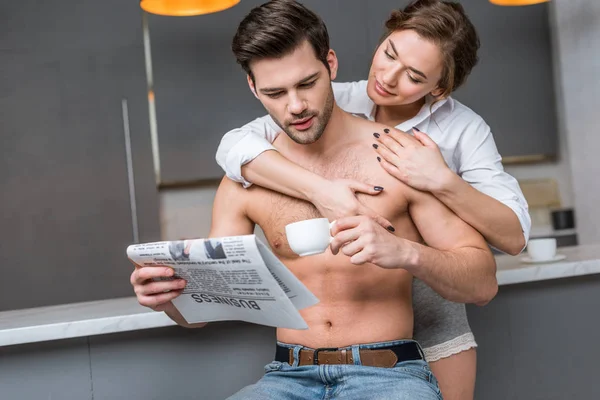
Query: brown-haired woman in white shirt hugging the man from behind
{"points": [[428, 51]]}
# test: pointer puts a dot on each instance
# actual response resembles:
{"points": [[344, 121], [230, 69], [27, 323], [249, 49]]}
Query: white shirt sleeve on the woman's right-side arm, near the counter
{"points": [[481, 166]]}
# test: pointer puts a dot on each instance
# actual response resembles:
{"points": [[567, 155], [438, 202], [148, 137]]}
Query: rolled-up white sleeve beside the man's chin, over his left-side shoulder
{"points": [[242, 145]]}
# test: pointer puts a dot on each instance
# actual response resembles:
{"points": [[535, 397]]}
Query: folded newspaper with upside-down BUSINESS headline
{"points": [[230, 278]]}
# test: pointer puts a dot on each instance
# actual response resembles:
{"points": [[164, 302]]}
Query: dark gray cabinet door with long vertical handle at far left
{"points": [[65, 69]]}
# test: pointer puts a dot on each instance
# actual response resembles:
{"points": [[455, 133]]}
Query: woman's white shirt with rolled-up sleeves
{"points": [[463, 137]]}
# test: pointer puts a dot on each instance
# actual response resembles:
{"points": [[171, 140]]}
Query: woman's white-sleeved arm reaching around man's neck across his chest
{"points": [[245, 156]]}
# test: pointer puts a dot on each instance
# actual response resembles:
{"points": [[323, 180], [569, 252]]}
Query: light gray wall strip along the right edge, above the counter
{"points": [[577, 27]]}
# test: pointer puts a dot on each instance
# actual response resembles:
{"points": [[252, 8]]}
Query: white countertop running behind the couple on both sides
{"points": [[125, 314]]}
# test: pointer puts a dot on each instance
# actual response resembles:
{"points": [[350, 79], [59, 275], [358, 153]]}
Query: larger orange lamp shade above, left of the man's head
{"points": [[186, 8]]}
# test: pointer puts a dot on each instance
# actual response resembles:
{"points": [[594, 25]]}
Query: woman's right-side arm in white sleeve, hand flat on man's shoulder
{"points": [[484, 196]]}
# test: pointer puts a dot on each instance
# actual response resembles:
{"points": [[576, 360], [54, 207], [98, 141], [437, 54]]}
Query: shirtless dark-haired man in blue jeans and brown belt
{"points": [[363, 323]]}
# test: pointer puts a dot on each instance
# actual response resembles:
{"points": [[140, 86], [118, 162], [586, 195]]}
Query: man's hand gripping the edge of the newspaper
{"points": [[156, 294]]}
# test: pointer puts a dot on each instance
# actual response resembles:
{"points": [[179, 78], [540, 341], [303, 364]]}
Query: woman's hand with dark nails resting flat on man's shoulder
{"points": [[416, 161]]}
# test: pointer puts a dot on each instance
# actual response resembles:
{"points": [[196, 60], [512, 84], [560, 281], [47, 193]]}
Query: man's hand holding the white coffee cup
{"points": [[365, 241]]}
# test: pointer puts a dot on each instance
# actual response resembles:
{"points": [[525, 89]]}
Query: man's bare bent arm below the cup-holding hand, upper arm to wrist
{"points": [[457, 263]]}
